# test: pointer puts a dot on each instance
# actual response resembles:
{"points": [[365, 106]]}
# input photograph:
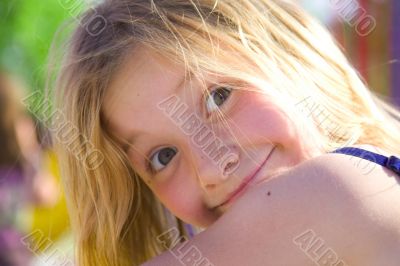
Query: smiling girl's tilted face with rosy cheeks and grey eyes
{"points": [[197, 163]]}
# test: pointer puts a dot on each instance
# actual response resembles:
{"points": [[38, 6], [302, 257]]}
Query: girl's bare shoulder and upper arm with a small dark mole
{"points": [[325, 211]]}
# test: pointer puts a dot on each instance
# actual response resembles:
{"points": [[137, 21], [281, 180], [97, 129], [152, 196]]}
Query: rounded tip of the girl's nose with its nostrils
{"points": [[214, 164]]}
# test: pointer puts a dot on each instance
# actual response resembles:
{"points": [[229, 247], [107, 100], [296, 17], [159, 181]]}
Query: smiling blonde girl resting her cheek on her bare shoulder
{"points": [[225, 113]]}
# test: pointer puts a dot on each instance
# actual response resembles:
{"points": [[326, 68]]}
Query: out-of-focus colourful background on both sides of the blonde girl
{"points": [[34, 228]]}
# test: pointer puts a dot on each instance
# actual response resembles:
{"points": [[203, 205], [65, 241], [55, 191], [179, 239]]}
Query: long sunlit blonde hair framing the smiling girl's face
{"points": [[271, 44]]}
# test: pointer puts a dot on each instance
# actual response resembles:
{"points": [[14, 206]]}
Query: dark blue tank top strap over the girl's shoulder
{"points": [[391, 162]]}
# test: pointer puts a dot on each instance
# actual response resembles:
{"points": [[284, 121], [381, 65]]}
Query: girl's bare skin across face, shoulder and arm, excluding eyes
{"points": [[328, 193]]}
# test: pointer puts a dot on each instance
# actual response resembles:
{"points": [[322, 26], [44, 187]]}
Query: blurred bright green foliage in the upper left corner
{"points": [[27, 29]]}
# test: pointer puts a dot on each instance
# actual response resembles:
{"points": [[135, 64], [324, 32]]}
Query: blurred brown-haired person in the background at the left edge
{"points": [[23, 180]]}
